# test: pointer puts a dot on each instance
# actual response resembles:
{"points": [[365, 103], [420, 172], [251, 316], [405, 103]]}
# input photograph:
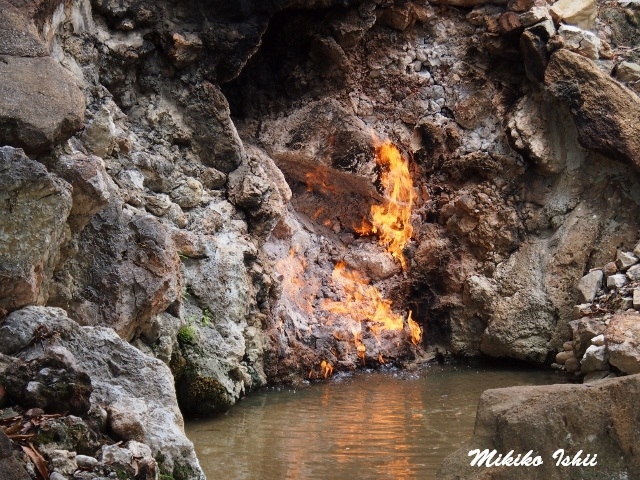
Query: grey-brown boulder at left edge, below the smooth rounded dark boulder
{"points": [[34, 206]]}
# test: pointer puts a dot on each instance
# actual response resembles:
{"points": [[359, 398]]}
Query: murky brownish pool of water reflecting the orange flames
{"points": [[380, 425]]}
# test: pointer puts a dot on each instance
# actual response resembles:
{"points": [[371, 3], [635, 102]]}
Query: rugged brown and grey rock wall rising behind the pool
{"points": [[227, 166]]}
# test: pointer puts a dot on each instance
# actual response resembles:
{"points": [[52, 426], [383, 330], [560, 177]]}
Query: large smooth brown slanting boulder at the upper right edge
{"points": [[605, 112]]}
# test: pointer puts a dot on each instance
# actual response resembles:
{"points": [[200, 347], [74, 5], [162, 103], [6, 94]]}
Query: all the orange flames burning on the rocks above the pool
{"points": [[359, 302]]}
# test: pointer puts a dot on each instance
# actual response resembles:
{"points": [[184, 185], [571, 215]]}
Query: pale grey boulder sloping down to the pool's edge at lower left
{"points": [[137, 390]]}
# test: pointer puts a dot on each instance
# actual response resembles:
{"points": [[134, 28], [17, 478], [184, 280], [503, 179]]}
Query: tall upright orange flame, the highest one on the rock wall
{"points": [[391, 221]]}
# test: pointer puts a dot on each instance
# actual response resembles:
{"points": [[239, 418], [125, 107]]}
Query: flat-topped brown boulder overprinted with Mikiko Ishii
{"points": [[544, 419]]}
